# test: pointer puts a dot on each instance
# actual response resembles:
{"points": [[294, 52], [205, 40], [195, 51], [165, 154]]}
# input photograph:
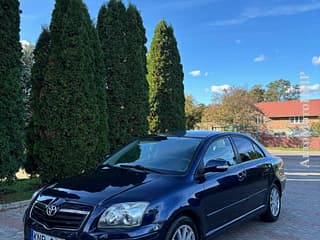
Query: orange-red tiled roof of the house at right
{"points": [[290, 108]]}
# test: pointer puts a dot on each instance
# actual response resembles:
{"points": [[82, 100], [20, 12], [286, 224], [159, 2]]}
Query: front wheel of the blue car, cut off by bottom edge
{"points": [[182, 228]]}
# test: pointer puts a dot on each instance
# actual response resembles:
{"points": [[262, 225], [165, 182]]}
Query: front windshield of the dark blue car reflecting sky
{"points": [[158, 154]]}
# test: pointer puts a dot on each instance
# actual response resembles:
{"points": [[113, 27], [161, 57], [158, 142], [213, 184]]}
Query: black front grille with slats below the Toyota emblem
{"points": [[69, 216]]}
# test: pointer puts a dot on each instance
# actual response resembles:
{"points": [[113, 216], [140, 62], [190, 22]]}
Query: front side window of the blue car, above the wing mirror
{"points": [[220, 149]]}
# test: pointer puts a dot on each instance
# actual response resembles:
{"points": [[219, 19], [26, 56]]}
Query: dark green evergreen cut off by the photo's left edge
{"points": [[11, 95]]}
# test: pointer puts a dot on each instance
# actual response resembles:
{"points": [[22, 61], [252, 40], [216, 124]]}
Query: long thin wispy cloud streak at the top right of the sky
{"points": [[254, 12]]}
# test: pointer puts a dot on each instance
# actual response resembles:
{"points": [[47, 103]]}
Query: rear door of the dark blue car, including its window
{"points": [[257, 170]]}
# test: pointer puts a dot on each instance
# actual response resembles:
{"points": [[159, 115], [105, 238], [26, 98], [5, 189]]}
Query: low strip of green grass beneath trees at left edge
{"points": [[18, 190]]}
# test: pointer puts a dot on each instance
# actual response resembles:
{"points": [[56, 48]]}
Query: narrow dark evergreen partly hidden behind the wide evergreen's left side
{"points": [[41, 58]]}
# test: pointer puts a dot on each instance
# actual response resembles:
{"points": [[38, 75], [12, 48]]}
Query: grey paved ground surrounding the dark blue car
{"points": [[299, 218]]}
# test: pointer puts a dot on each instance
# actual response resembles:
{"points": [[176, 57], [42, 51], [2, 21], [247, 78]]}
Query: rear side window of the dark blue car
{"points": [[247, 149]]}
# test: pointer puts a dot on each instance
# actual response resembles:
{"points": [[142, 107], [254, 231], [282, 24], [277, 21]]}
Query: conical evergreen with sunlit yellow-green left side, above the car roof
{"points": [[165, 77]]}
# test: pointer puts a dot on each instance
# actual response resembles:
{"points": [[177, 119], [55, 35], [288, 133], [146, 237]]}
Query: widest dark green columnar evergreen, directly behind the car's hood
{"points": [[70, 122]]}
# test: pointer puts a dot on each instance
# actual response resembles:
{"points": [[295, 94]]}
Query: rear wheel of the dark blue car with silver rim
{"points": [[273, 205]]}
